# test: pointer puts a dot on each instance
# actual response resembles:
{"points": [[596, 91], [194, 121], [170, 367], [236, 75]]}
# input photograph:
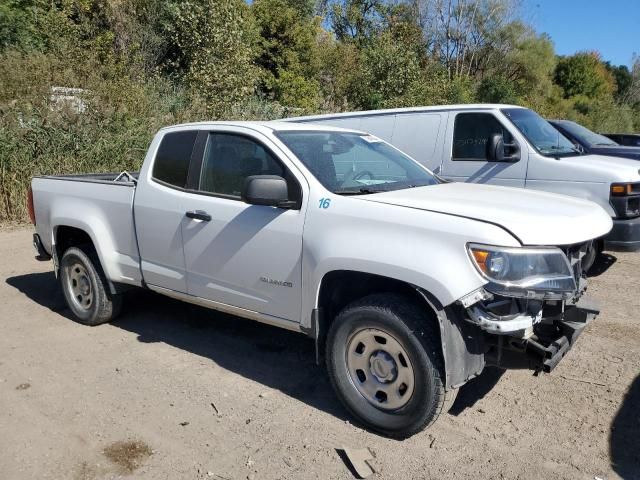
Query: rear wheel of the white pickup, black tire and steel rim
{"points": [[85, 288]]}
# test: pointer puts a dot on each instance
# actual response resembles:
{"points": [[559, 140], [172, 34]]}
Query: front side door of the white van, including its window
{"points": [[466, 152]]}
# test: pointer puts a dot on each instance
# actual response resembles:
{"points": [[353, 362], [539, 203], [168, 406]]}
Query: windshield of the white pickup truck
{"points": [[353, 163]]}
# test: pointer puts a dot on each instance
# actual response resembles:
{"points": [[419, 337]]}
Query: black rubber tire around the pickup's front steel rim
{"points": [[416, 331]]}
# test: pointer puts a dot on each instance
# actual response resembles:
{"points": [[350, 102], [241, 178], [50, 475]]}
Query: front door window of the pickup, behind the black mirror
{"points": [[229, 159]]}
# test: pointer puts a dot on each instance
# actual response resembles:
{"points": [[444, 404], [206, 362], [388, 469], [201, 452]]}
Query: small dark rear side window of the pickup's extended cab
{"points": [[172, 160]]}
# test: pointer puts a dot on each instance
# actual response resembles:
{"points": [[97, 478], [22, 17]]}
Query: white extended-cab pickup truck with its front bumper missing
{"points": [[410, 285]]}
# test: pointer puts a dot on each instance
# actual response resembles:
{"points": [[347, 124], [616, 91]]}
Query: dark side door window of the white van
{"points": [[471, 134]]}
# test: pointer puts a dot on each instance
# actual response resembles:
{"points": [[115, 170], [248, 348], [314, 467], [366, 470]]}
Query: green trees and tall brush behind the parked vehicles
{"points": [[142, 64]]}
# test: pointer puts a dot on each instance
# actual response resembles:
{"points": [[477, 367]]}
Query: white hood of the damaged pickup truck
{"points": [[533, 217]]}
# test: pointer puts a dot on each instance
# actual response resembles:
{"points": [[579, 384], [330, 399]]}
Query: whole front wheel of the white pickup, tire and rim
{"points": [[385, 363]]}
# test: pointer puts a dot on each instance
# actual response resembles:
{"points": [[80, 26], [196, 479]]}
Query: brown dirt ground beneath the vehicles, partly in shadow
{"points": [[171, 391]]}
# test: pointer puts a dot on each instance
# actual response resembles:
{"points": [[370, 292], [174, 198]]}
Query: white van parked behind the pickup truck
{"points": [[512, 146]]}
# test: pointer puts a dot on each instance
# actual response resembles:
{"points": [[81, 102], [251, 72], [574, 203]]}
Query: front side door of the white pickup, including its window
{"points": [[247, 256]]}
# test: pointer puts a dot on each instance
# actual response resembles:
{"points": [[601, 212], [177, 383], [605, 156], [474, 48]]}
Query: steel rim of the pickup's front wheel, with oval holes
{"points": [[380, 369]]}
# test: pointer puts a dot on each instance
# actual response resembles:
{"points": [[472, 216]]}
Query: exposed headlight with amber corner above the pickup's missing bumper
{"points": [[524, 272]]}
